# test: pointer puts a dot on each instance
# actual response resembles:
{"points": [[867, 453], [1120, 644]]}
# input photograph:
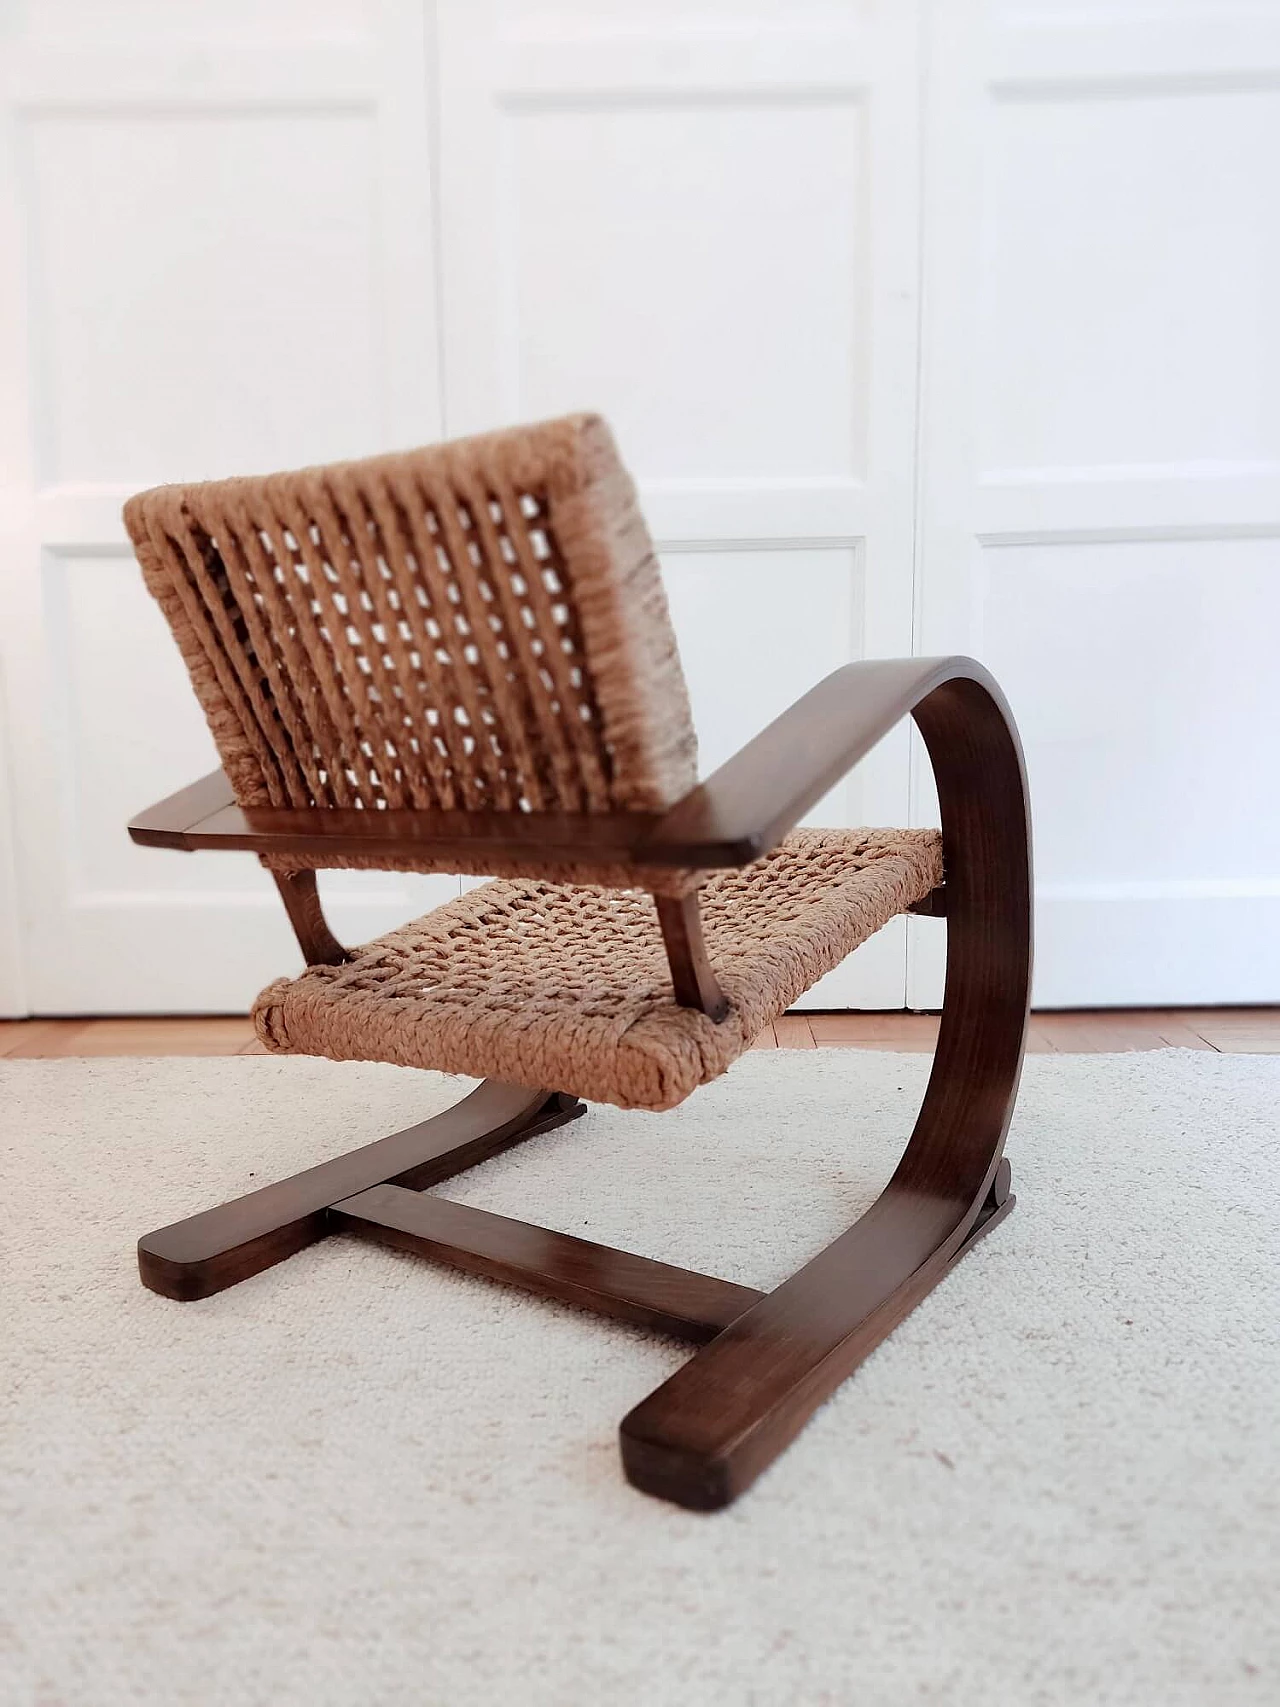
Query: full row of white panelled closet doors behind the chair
{"points": [[924, 329]]}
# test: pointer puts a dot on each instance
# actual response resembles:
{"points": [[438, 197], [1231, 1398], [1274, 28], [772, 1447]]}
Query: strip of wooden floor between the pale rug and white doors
{"points": [[1100, 1032]]}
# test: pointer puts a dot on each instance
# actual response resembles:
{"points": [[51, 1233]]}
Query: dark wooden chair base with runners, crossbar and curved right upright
{"points": [[767, 1361]]}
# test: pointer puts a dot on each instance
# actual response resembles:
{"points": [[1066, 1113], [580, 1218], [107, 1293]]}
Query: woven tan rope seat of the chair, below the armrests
{"points": [[547, 984]]}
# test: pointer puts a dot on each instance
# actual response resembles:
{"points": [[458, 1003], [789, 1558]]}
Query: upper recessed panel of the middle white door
{"points": [[649, 242]]}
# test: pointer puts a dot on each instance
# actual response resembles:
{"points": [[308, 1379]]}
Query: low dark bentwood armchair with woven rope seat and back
{"points": [[460, 660]]}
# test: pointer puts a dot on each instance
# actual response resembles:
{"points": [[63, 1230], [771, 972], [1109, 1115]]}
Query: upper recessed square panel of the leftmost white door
{"points": [[197, 351]]}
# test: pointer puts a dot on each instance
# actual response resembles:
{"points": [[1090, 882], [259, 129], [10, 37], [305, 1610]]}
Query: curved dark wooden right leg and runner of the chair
{"points": [[709, 1431]]}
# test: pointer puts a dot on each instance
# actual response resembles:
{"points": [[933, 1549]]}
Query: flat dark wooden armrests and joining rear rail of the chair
{"points": [[740, 813]]}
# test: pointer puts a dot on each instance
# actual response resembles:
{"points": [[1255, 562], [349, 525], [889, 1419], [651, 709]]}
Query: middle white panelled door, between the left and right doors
{"points": [[706, 228]]}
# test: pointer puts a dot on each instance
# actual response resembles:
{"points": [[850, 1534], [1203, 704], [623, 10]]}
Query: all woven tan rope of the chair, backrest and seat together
{"points": [[482, 626]]}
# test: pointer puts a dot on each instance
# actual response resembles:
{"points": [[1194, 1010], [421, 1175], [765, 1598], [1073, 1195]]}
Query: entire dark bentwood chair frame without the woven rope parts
{"points": [[767, 1360]]}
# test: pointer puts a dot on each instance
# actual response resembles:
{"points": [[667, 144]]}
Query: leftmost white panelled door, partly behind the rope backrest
{"points": [[218, 233]]}
